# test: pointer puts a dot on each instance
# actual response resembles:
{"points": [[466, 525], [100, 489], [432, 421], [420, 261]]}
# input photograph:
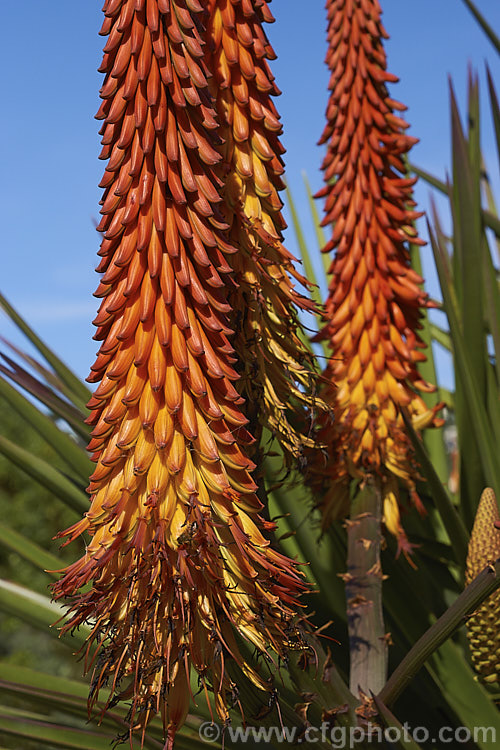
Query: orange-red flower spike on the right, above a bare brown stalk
{"points": [[375, 299]]}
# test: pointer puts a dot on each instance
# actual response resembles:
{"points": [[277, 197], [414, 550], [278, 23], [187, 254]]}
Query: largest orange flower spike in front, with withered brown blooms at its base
{"points": [[177, 562]]}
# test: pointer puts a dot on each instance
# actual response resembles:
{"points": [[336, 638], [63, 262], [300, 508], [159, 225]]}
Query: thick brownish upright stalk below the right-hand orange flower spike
{"points": [[367, 637]]}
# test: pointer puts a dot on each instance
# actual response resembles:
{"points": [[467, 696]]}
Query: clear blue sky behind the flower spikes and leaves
{"points": [[49, 140]]}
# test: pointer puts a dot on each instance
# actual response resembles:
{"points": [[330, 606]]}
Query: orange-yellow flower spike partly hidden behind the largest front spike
{"points": [[280, 369]]}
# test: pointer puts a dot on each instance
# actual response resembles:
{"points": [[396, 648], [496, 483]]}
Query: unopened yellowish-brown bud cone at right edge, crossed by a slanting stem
{"points": [[483, 630]]}
